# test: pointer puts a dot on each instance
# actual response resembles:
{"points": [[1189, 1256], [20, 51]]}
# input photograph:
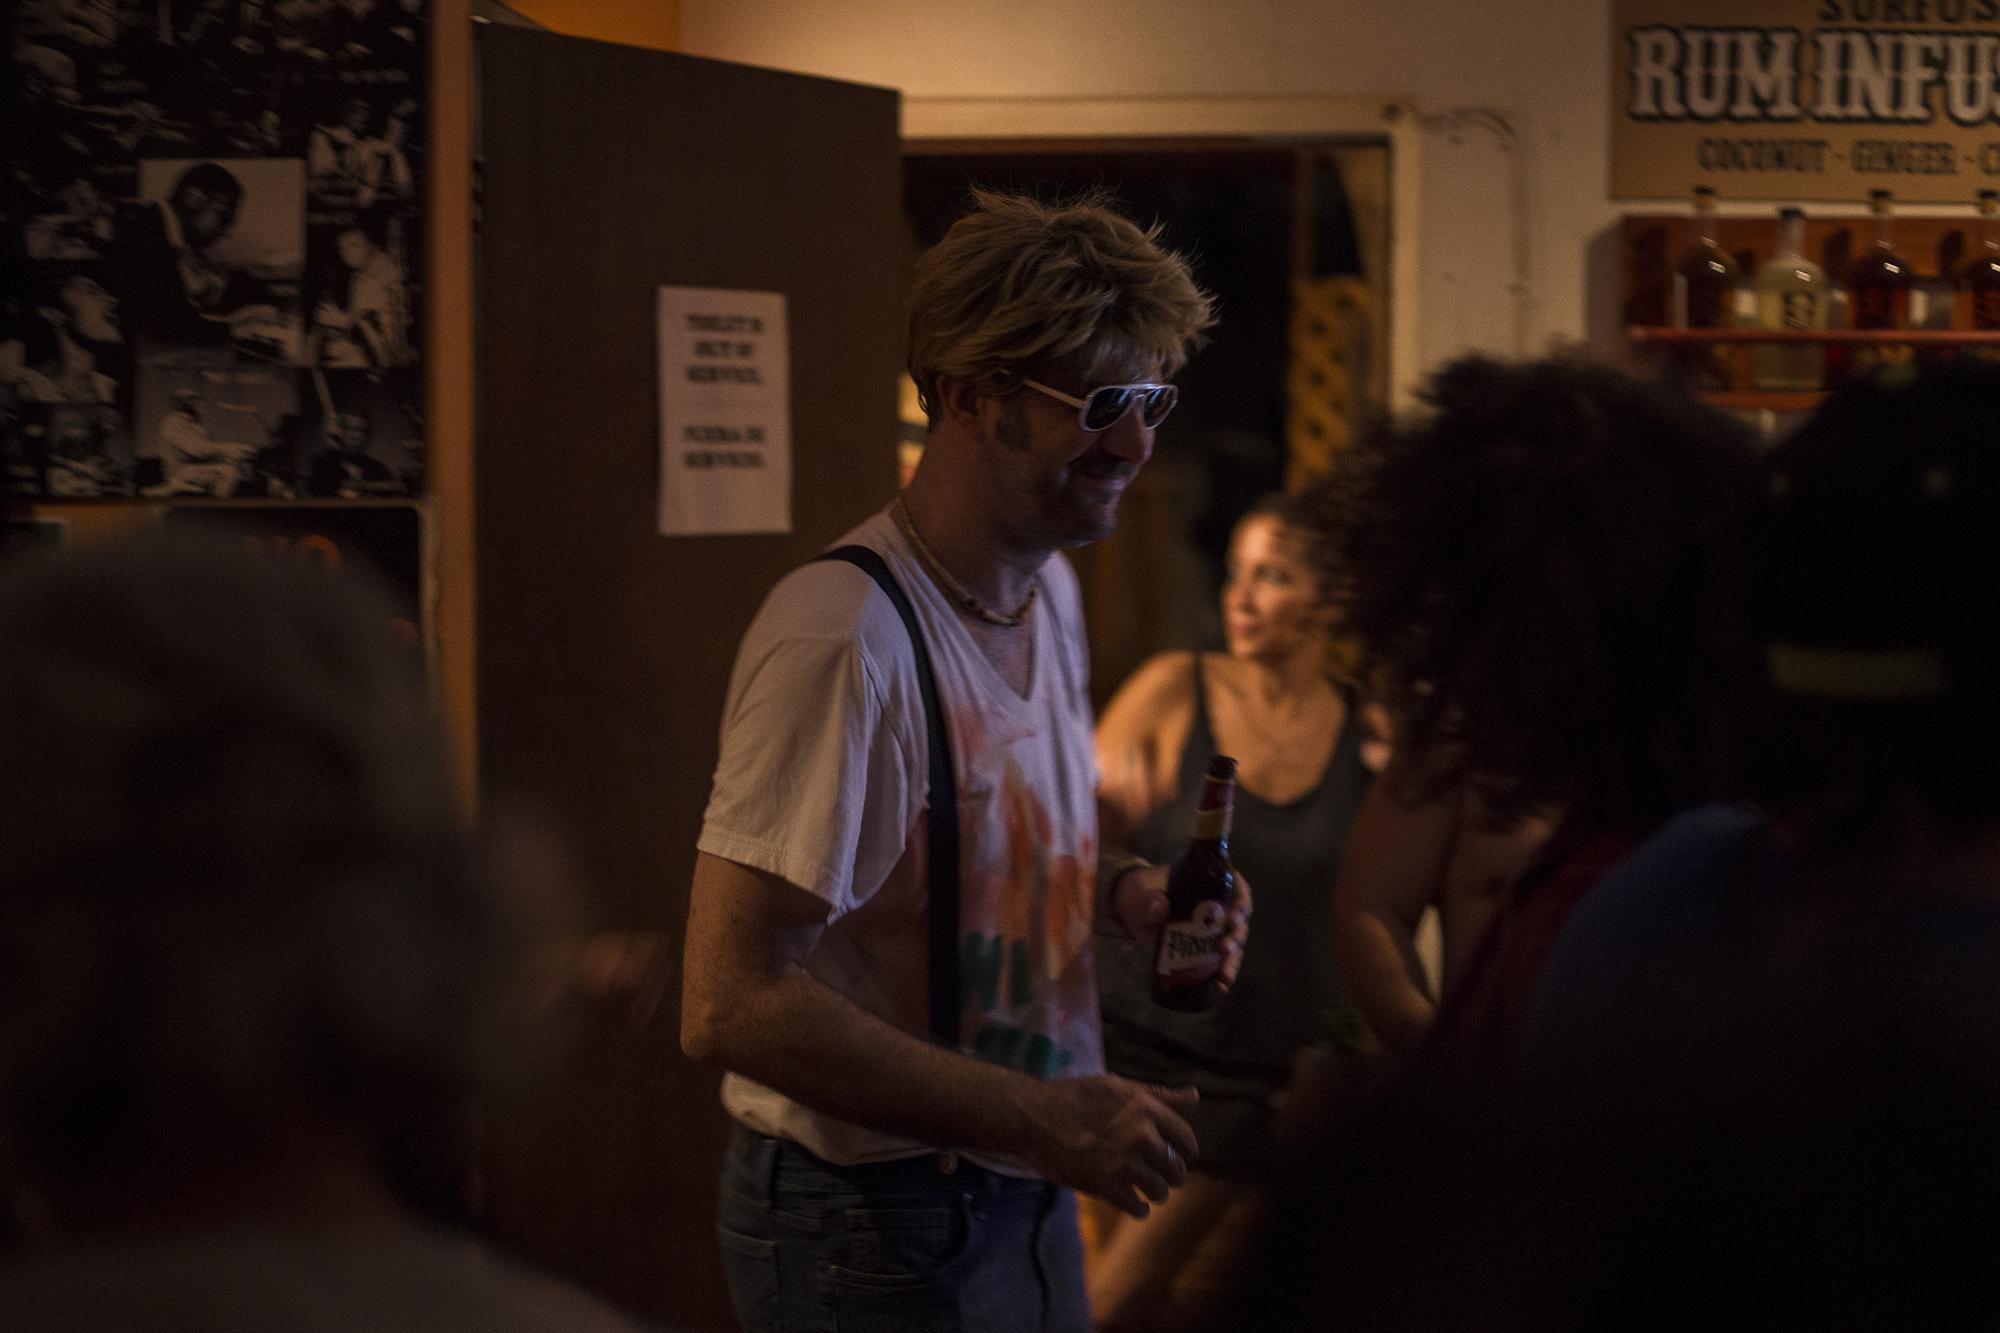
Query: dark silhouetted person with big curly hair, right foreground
{"points": [[1551, 579]]}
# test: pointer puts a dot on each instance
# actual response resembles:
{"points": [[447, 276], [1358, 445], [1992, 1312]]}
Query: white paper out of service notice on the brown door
{"points": [[725, 413]]}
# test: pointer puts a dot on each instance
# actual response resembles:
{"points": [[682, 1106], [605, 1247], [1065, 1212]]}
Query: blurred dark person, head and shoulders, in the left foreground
{"points": [[253, 964]]}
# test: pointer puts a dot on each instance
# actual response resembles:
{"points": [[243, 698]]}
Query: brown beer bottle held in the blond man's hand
{"points": [[1187, 964]]}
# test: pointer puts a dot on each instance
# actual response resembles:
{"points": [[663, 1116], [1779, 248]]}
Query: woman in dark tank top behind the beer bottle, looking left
{"points": [[1285, 706]]}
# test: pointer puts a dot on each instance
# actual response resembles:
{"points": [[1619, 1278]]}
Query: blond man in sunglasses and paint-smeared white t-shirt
{"points": [[883, 1174]]}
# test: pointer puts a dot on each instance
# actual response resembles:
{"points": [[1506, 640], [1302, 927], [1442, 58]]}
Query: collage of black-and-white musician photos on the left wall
{"points": [[213, 269]]}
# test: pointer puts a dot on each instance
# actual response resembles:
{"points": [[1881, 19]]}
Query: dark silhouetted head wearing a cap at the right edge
{"points": [[1879, 605]]}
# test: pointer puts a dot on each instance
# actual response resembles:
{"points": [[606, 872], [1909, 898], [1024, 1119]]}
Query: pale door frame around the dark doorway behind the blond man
{"points": [[1173, 123]]}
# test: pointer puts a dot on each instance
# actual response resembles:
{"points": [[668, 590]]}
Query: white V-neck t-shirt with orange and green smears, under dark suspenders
{"points": [[823, 782]]}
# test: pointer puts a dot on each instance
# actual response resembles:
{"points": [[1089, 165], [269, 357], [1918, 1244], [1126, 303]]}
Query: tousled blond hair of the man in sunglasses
{"points": [[1021, 287]]}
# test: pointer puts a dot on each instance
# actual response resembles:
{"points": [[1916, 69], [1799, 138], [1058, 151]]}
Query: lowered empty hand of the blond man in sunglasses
{"points": [[1113, 1138]]}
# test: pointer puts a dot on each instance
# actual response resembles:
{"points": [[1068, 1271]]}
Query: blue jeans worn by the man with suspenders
{"points": [[919, 1244]]}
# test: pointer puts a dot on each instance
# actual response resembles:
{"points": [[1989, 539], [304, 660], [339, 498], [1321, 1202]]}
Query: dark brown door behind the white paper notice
{"points": [[605, 647]]}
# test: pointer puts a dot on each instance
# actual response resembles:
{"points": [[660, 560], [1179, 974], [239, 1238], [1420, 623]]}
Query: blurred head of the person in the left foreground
{"points": [[239, 908]]}
